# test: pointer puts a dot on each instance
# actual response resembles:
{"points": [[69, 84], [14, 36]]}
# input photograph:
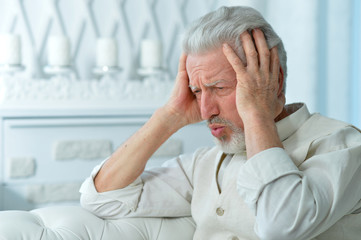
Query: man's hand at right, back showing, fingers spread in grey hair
{"points": [[259, 84]]}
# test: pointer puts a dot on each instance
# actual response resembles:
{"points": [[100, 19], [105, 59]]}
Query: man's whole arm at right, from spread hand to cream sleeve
{"points": [[289, 202]]}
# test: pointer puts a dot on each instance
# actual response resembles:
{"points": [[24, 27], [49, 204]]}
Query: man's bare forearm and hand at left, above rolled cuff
{"points": [[129, 160]]}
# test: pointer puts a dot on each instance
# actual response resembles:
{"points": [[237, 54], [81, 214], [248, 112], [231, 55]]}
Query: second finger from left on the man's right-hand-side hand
{"points": [[250, 51]]}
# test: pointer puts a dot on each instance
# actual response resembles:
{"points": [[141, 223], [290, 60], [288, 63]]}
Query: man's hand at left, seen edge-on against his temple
{"points": [[182, 102]]}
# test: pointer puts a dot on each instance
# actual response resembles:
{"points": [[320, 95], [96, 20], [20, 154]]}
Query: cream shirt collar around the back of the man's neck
{"points": [[288, 125]]}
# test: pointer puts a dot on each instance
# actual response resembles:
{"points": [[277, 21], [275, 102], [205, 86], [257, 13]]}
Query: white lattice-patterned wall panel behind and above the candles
{"points": [[84, 21]]}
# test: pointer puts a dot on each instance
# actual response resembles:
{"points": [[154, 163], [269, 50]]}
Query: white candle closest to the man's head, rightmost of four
{"points": [[151, 54]]}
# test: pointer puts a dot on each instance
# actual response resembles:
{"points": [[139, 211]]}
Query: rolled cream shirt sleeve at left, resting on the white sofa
{"points": [[159, 192]]}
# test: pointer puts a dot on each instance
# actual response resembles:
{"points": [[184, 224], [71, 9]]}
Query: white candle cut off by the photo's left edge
{"points": [[10, 49]]}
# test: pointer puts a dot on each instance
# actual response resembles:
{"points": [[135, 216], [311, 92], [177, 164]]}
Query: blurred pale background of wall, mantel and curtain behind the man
{"points": [[82, 65]]}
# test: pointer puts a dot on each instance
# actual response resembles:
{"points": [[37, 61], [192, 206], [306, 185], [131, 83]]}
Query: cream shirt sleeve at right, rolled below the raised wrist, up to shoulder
{"points": [[301, 202]]}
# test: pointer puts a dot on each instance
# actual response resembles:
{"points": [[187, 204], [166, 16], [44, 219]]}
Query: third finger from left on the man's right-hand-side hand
{"points": [[262, 49]]}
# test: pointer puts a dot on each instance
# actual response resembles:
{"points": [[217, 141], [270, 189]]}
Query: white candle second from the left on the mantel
{"points": [[59, 51]]}
